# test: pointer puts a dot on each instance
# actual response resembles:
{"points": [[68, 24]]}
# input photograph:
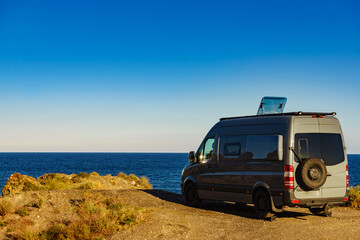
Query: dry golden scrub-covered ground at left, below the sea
{"points": [[79, 209]]}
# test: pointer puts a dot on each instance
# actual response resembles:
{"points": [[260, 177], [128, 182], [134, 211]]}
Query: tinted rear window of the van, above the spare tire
{"points": [[327, 146]]}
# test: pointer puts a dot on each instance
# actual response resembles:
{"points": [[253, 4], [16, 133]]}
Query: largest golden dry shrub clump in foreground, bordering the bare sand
{"points": [[99, 217]]}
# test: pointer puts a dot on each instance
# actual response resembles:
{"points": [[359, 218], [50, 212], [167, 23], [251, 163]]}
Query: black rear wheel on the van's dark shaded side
{"points": [[262, 204]]}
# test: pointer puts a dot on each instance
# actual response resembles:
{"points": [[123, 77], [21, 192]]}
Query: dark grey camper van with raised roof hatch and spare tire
{"points": [[272, 159]]}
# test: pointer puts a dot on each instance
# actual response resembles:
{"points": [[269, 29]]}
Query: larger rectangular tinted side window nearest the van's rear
{"points": [[262, 147]]}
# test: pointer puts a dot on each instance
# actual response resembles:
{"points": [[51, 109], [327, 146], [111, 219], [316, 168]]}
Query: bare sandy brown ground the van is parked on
{"points": [[166, 217]]}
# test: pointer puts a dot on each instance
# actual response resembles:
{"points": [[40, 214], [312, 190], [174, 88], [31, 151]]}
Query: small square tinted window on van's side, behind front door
{"points": [[232, 149]]}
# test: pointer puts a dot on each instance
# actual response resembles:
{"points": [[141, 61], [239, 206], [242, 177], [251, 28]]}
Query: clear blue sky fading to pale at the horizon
{"points": [[154, 76]]}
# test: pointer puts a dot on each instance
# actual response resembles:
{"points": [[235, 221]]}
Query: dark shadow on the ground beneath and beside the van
{"points": [[245, 211]]}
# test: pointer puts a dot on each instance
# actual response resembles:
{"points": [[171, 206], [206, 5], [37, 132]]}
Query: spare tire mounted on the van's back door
{"points": [[311, 174]]}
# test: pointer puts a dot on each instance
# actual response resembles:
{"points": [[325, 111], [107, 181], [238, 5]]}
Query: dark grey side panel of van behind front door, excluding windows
{"points": [[234, 181]]}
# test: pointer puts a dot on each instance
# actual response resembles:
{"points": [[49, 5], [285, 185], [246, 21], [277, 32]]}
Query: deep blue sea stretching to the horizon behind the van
{"points": [[162, 169]]}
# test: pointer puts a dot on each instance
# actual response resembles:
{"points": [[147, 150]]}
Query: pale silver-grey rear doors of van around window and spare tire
{"points": [[324, 142]]}
